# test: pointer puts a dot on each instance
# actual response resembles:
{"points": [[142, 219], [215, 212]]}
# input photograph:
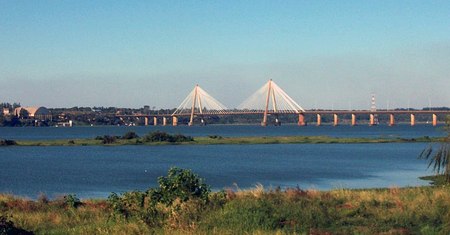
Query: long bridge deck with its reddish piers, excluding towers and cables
{"points": [[301, 115]]}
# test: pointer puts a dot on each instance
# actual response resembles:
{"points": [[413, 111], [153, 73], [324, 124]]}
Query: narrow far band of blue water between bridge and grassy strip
{"points": [[405, 131]]}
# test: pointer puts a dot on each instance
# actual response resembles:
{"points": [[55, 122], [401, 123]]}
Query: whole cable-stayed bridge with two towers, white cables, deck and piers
{"points": [[270, 100]]}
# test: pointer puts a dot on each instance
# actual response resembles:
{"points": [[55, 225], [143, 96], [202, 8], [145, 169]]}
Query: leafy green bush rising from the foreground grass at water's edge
{"points": [[178, 202]]}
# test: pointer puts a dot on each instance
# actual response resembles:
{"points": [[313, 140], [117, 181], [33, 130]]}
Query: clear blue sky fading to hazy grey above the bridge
{"points": [[324, 54]]}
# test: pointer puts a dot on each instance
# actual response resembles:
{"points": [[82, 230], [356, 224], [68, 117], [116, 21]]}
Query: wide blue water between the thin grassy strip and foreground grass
{"points": [[96, 171]]}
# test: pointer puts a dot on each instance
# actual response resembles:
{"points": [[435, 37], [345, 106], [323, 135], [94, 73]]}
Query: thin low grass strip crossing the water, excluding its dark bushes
{"points": [[212, 140]]}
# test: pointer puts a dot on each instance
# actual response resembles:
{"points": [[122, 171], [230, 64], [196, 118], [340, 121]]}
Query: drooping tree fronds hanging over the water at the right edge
{"points": [[439, 157]]}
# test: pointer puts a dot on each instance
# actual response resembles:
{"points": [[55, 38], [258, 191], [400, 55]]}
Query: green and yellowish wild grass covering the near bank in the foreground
{"points": [[418, 210]]}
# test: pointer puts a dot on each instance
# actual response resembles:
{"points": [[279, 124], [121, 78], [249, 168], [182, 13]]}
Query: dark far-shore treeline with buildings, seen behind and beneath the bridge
{"points": [[98, 116]]}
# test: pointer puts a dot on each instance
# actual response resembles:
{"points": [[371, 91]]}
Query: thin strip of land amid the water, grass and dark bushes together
{"points": [[162, 138]]}
